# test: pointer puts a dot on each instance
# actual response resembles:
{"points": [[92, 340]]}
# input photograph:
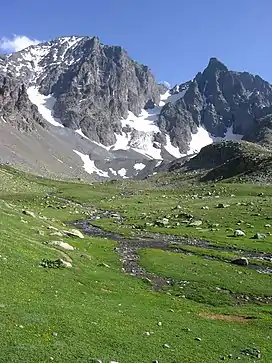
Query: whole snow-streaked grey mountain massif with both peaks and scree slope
{"points": [[74, 101]]}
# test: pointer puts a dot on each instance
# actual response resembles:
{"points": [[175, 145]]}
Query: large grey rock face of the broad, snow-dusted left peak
{"points": [[94, 85]]}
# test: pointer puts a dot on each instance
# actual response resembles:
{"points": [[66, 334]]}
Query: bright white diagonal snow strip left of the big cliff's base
{"points": [[45, 105]]}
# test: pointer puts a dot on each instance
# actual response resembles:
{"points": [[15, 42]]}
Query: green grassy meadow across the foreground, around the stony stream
{"points": [[99, 312]]}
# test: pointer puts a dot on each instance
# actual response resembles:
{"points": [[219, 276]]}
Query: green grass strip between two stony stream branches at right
{"points": [[206, 275]]}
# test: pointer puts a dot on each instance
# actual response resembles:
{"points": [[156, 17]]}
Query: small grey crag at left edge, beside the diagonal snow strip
{"points": [[15, 106]]}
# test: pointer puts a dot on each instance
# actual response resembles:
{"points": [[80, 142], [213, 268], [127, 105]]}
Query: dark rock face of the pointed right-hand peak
{"points": [[217, 99]]}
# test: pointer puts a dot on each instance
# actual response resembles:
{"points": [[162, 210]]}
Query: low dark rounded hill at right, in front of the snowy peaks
{"points": [[225, 160]]}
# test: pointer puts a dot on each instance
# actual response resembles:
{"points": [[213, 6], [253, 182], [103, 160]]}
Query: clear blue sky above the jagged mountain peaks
{"points": [[175, 38]]}
